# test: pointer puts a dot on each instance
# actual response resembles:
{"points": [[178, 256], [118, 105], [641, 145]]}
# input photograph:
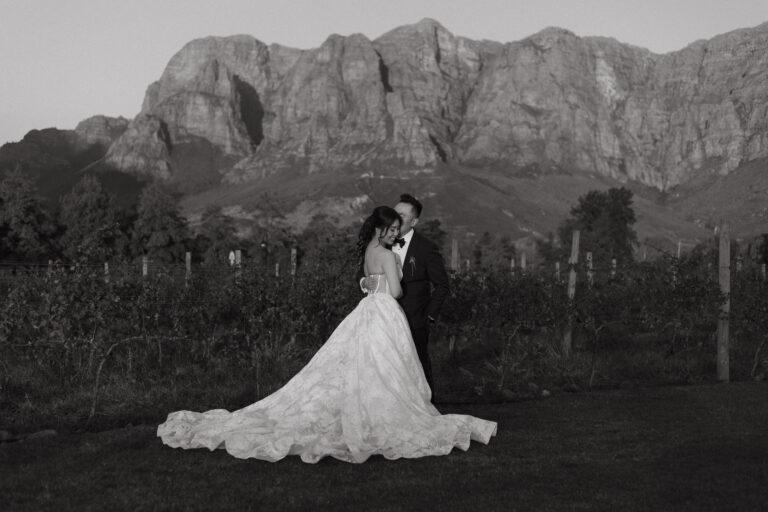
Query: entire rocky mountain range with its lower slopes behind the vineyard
{"points": [[494, 136]]}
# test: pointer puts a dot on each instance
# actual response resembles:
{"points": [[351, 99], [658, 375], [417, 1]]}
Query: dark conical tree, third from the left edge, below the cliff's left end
{"points": [[159, 231]]}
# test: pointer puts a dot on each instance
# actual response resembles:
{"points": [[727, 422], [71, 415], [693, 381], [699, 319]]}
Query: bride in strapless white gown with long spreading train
{"points": [[363, 393]]}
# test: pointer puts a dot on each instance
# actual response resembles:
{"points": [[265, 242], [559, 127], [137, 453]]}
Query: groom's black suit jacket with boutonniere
{"points": [[425, 282]]}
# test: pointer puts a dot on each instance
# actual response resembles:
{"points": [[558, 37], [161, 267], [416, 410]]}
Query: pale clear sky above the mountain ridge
{"points": [[62, 61]]}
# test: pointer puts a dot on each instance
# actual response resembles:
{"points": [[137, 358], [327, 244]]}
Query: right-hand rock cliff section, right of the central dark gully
{"points": [[598, 105]]}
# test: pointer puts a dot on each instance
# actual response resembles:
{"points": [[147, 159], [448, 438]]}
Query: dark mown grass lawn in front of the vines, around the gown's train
{"points": [[674, 448]]}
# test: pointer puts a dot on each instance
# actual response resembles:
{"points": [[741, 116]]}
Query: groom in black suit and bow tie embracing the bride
{"points": [[424, 283]]}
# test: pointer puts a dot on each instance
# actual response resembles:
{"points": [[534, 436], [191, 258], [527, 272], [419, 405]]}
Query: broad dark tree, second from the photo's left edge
{"points": [[92, 223]]}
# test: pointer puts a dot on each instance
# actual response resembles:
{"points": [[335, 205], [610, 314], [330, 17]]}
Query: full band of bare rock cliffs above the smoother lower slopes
{"points": [[418, 96]]}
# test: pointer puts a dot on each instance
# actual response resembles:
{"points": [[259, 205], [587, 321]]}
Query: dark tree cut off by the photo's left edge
{"points": [[26, 229]]}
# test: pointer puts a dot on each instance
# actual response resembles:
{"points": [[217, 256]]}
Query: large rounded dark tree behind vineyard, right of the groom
{"points": [[605, 220]]}
